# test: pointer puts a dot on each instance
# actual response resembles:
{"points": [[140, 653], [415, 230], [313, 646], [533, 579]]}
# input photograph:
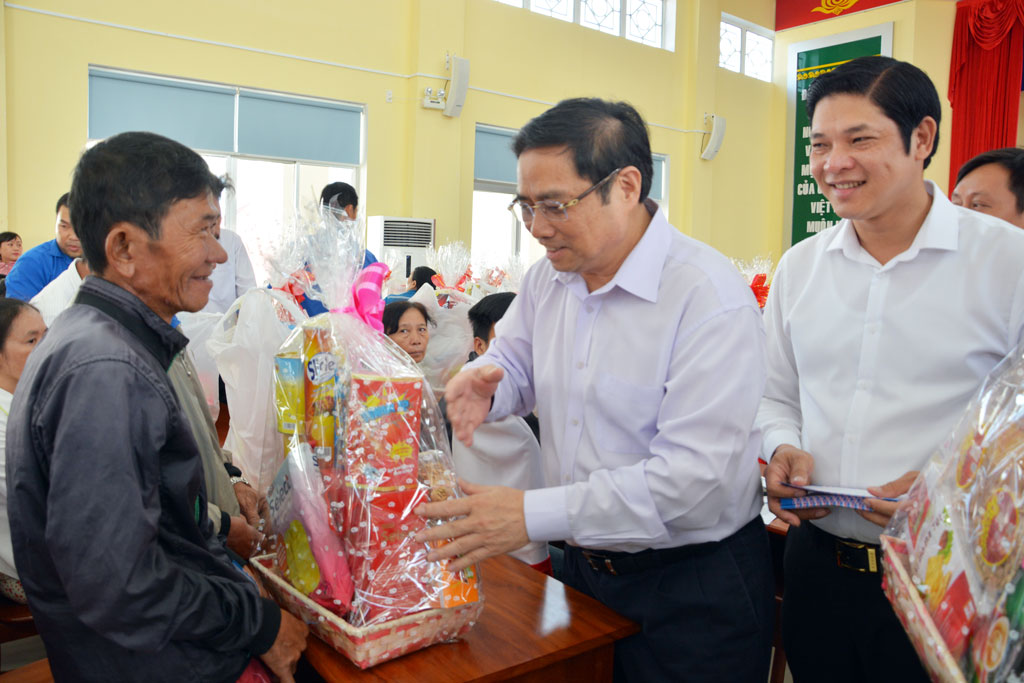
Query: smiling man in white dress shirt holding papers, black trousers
{"points": [[880, 331]]}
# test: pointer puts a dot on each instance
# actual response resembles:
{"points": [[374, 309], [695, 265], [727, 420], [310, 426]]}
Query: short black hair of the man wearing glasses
{"points": [[601, 136]]}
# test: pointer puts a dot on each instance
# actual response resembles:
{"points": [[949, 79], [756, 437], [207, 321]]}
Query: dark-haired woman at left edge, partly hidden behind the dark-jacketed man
{"points": [[21, 330]]}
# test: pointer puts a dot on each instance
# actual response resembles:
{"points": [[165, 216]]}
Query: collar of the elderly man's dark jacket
{"points": [[160, 339]]}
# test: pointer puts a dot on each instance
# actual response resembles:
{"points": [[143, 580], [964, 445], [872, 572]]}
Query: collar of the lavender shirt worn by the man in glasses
{"points": [[641, 274]]}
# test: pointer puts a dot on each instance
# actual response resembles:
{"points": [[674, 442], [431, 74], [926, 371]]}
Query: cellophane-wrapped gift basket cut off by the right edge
{"points": [[954, 551]]}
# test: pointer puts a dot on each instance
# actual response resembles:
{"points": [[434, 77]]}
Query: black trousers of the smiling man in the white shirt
{"points": [[837, 624]]}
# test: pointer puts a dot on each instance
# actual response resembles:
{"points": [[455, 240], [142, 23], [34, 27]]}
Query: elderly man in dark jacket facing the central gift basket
{"points": [[124, 575]]}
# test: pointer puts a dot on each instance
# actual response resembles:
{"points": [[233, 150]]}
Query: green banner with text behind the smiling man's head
{"points": [[812, 211]]}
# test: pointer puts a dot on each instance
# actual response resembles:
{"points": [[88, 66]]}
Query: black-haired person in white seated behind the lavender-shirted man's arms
{"points": [[507, 452]]}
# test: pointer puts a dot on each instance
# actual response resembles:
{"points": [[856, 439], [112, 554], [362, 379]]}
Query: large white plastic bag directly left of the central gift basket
{"points": [[244, 345]]}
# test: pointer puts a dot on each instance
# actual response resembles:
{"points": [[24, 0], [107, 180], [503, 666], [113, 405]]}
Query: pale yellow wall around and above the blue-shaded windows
{"points": [[419, 163]]}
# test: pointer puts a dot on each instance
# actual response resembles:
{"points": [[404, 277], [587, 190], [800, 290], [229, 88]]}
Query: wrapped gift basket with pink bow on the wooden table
{"points": [[366, 445]]}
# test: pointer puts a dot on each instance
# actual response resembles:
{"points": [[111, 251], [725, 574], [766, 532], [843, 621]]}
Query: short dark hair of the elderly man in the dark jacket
{"points": [[134, 178]]}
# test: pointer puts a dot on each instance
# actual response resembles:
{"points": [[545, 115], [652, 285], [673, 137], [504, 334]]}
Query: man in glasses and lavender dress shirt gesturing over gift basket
{"points": [[643, 352]]}
